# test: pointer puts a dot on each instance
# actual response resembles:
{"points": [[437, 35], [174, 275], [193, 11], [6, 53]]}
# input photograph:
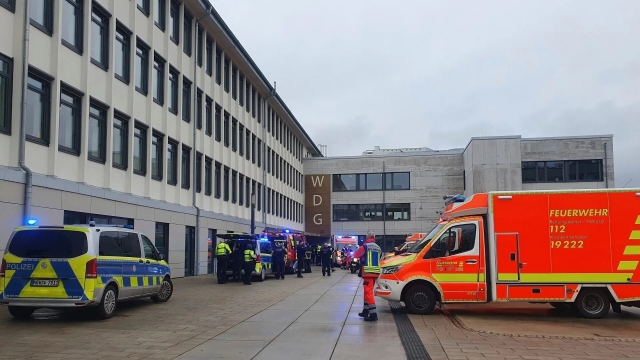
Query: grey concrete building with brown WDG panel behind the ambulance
{"points": [[396, 192]]}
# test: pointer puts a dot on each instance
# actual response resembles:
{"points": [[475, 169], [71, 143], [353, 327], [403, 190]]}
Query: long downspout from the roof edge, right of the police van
{"points": [[195, 131]]}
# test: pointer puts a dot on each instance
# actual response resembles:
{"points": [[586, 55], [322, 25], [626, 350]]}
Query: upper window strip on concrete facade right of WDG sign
{"points": [[371, 182]]}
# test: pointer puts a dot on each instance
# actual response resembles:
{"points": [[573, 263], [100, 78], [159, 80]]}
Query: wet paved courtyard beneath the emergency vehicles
{"points": [[311, 318]]}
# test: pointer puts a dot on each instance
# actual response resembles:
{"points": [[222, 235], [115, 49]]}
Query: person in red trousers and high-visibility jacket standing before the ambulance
{"points": [[369, 254]]}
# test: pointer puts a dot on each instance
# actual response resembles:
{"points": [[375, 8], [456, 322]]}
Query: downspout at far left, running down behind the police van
{"points": [[23, 117]]}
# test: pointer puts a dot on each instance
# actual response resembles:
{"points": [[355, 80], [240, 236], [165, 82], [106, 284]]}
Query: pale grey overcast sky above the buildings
{"points": [[414, 73]]}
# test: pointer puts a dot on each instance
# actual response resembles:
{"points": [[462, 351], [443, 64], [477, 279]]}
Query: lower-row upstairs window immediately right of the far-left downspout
{"points": [[38, 108]]}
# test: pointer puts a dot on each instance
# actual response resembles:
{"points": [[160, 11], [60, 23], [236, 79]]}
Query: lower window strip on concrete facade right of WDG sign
{"points": [[372, 212]]}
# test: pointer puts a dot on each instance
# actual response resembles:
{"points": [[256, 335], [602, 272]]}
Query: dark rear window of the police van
{"points": [[57, 244]]}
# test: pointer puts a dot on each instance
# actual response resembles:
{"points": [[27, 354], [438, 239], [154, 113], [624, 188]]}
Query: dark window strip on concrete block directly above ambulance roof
{"points": [[562, 171]]}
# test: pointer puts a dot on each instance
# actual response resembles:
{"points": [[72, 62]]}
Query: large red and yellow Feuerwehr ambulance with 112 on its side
{"points": [[577, 248]]}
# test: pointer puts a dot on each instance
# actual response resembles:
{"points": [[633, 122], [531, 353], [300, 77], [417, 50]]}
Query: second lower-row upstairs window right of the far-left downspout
{"points": [[70, 121]]}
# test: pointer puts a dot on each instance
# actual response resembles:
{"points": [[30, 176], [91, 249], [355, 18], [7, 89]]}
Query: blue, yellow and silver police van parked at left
{"points": [[62, 267]]}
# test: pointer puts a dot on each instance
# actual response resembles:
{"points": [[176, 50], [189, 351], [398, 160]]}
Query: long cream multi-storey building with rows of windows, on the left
{"points": [[134, 106]]}
